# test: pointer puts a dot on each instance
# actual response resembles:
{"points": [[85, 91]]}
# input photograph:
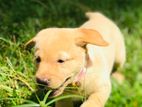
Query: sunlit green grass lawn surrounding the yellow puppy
{"points": [[20, 20]]}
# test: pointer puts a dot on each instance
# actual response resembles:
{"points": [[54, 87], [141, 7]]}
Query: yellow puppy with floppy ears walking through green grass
{"points": [[85, 55]]}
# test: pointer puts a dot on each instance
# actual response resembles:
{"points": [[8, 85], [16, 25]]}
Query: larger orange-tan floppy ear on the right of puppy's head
{"points": [[89, 36]]}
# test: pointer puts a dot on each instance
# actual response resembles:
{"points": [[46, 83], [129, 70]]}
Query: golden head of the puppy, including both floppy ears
{"points": [[60, 54]]}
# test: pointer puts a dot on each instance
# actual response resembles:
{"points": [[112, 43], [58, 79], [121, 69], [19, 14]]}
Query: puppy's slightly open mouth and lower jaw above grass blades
{"points": [[60, 89]]}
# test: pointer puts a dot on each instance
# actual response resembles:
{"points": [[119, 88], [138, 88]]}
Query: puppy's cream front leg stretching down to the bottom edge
{"points": [[99, 98]]}
